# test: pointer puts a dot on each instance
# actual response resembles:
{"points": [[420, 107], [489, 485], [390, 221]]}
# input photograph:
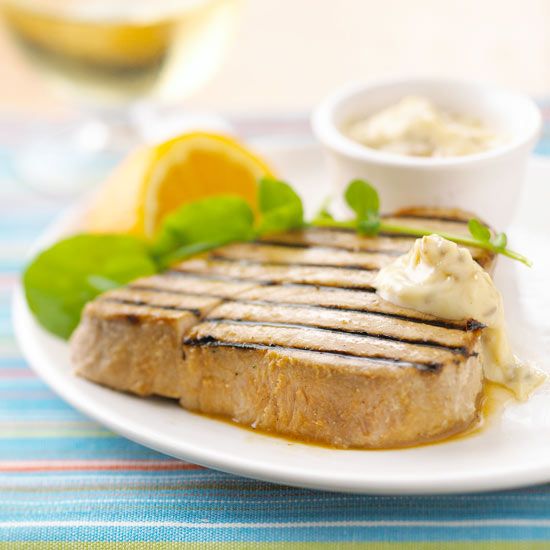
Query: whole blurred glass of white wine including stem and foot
{"points": [[118, 61]]}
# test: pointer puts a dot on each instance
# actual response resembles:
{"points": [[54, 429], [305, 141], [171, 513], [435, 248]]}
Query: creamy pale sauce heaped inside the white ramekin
{"points": [[415, 126]]}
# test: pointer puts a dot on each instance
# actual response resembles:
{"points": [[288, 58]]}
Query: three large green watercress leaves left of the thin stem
{"points": [[60, 280]]}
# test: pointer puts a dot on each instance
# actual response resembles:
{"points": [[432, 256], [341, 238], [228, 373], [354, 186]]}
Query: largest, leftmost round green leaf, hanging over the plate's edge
{"points": [[62, 278]]}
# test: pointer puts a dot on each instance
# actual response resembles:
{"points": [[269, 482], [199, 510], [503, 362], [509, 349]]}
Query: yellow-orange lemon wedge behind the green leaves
{"points": [[154, 181]]}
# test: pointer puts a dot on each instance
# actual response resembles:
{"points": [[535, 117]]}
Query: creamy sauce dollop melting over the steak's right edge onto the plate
{"points": [[440, 278]]}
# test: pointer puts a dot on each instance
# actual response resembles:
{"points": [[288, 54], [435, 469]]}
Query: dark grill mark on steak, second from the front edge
{"points": [[461, 350]]}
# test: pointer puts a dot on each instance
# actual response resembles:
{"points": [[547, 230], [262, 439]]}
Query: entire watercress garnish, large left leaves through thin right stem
{"points": [[63, 278]]}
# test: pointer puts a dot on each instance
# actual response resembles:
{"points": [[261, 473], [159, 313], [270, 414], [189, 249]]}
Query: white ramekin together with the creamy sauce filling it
{"points": [[431, 142]]}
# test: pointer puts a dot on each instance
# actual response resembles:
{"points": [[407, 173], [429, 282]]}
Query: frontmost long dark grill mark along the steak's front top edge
{"points": [[210, 341]]}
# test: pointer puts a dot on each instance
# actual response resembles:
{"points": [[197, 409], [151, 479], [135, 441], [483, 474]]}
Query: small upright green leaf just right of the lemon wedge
{"points": [[280, 206]]}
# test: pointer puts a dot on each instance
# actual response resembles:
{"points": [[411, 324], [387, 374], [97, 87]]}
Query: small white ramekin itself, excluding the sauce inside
{"points": [[487, 183]]}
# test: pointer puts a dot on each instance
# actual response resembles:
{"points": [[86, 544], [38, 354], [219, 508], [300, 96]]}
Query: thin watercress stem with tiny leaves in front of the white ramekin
{"points": [[363, 199]]}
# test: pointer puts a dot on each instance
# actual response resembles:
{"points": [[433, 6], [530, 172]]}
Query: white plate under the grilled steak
{"points": [[513, 450]]}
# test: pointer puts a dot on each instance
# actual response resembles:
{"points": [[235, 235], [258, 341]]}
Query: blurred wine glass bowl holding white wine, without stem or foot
{"points": [[112, 51]]}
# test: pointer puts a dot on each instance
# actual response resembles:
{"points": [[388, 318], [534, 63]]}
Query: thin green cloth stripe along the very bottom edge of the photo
{"points": [[465, 545]]}
